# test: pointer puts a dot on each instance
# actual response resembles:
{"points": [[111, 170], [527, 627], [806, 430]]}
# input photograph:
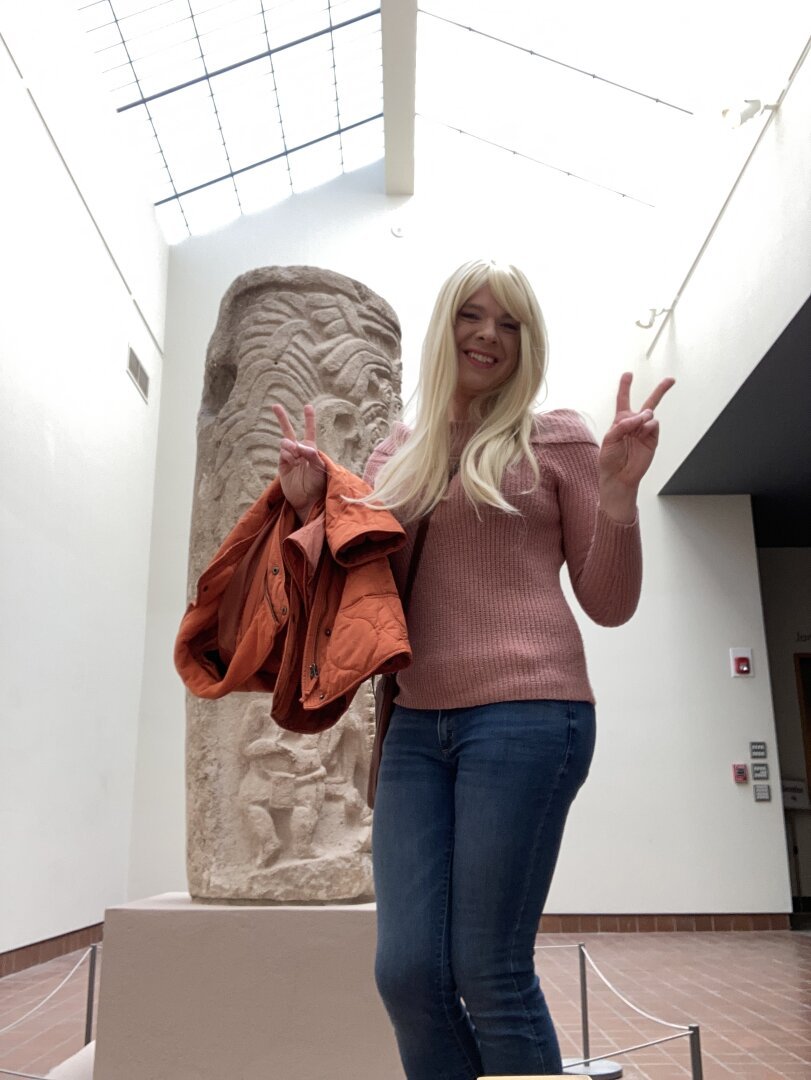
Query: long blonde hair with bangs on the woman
{"points": [[416, 477]]}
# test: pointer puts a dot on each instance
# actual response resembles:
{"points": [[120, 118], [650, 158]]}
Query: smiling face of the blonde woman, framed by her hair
{"points": [[488, 343]]}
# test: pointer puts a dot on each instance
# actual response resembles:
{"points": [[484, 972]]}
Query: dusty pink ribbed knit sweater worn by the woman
{"points": [[488, 620]]}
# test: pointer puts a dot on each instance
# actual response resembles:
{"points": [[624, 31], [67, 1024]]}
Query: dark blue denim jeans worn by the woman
{"points": [[469, 815]]}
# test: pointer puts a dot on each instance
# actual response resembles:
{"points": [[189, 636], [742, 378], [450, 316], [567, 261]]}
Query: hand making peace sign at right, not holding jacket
{"points": [[628, 450]]}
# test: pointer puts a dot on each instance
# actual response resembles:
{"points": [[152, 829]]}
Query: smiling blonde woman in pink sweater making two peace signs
{"points": [[494, 728]]}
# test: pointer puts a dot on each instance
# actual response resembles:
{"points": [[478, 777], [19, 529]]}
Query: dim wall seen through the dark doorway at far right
{"points": [[786, 582]]}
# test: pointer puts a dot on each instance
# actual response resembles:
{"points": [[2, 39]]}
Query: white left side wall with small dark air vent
{"points": [[77, 442]]}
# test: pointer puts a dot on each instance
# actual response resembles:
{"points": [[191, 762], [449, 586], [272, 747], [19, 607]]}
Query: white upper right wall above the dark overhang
{"points": [[752, 281]]}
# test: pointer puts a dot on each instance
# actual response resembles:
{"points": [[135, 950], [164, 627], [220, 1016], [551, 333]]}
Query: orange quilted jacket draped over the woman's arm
{"points": [[305, 612]]}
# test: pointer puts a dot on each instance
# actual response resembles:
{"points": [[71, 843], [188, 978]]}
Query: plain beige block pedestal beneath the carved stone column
{"points": [[201, 992]]}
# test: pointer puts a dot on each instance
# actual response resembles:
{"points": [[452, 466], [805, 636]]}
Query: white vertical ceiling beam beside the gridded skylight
{"points": [[399, 20]]}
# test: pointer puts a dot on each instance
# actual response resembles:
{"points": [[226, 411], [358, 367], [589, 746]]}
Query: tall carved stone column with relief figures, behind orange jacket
{"points": [[276, 817]]}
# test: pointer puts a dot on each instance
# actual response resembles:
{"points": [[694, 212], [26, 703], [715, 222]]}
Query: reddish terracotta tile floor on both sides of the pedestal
{"points": [[751, 993]]}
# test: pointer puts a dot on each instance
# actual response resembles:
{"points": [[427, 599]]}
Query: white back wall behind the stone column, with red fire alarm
{"points": [[660, 827]]}
